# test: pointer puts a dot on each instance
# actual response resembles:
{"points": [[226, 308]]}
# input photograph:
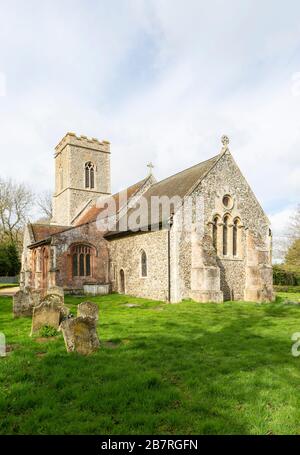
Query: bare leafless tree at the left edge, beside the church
{"points": [[16, 201]]}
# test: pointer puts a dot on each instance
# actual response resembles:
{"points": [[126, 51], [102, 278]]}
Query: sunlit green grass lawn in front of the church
{"points": [[186, 368]]}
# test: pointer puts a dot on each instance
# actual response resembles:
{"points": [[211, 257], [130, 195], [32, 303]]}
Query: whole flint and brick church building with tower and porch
{"points": [[222, 254]]}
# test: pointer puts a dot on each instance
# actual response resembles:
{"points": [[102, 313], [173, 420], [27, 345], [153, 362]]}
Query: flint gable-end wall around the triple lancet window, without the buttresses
{"points": [[226, 178]]}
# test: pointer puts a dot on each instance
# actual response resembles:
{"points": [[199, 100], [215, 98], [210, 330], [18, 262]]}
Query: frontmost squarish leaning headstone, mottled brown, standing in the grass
{"points": [[80, 335]]}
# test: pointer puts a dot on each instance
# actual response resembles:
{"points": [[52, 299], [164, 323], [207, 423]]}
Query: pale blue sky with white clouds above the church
{"points": [[162, 80]]}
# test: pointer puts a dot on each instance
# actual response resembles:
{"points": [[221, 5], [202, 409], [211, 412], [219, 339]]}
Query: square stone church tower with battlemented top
{"points": [[82, 174]]}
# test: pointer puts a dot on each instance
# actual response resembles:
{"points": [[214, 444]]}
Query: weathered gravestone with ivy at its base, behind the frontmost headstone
{"points": [[50, 312]]}
